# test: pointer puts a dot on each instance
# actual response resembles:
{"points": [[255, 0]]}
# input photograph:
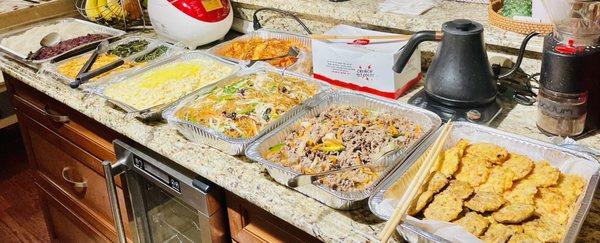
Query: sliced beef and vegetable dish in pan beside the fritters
{"points": [[343, 136]]}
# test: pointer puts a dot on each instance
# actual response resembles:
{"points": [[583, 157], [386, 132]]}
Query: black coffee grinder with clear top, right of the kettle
{"points": [[569, 96]]}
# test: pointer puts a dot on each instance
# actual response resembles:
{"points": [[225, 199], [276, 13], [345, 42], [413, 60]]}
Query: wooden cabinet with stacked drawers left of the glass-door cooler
{"points": [[66, 149]]}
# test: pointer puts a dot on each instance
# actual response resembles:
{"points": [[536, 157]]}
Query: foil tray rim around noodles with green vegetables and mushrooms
{"points": [[233, 146]]}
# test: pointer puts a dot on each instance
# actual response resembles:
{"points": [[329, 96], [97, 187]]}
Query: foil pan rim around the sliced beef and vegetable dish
{"points": [[427, 120]]}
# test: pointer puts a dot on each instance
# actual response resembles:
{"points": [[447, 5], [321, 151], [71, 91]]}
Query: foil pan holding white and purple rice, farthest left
{"points": [[100, 29]]}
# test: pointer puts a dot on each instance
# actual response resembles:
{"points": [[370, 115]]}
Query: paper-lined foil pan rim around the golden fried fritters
{"points": [[534, 149]]}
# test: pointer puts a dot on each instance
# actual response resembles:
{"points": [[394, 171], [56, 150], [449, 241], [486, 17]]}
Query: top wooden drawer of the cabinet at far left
{"points": [[88, 134]]}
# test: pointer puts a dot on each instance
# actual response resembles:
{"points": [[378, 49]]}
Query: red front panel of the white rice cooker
{"points": [[204, 10]]}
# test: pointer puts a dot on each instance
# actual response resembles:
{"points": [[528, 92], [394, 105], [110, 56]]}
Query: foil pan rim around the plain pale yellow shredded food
{"points": [[154, 113]]}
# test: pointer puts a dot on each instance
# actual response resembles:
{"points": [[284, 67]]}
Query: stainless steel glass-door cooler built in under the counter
{"points": [[166, 202]]}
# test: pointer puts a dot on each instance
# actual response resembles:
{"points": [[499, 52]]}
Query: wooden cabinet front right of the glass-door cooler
{"points": [[249, 223]]}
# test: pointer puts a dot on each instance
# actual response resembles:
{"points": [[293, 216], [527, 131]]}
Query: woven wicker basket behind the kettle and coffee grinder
{"points": [[517, 26]]}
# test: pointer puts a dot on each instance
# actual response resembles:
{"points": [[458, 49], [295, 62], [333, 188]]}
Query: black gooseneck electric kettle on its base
{"points": [[460, 84]]}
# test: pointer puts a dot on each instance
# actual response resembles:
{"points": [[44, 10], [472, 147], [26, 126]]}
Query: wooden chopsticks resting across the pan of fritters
{"points": [[407, 198]]}
